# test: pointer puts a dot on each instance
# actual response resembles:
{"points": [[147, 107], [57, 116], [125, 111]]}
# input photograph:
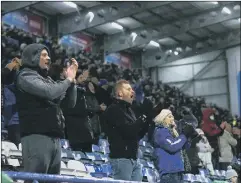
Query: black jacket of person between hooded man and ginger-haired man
{"points": [[81, 121]]}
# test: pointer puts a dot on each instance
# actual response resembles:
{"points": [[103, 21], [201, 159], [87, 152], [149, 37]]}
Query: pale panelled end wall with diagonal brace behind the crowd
{"points": [[204, 75]]}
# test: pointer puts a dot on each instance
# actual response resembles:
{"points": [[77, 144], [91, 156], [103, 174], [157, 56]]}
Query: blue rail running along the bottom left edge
{"points": [[58, 178]]}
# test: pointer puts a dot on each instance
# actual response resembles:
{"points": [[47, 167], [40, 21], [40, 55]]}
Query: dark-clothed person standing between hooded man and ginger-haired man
{"points": [[82, 122]]}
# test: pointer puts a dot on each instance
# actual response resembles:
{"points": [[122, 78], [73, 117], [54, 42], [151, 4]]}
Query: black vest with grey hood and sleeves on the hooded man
{"points": [[39, 98]]}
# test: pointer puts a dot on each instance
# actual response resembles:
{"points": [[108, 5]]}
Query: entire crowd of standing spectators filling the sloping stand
{"points": [[83, 99]]}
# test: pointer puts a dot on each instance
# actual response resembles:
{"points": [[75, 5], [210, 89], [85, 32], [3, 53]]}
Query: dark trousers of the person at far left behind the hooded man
{"points": [[14, 134]]}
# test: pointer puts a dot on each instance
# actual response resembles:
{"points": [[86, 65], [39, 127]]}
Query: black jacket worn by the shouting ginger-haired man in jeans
{"points": [[123, 130]]}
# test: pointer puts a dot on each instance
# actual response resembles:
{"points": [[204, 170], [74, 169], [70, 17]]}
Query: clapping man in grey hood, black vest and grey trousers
{"points": [[39, 100]]}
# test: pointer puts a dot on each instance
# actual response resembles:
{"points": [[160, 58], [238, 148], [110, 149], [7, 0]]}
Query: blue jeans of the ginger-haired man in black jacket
{"points": [[126, 169]]}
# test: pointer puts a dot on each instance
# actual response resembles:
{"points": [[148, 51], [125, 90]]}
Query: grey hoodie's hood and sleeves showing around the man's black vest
{"points": [[30, 79]]}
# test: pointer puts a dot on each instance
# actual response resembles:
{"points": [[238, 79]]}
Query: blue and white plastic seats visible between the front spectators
{"points": [[96, 163]]}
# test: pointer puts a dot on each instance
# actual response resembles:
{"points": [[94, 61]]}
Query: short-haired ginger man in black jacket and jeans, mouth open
{"points": [[123, 131]]}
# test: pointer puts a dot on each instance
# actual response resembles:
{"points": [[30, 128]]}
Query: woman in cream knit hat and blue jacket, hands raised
{"points": [[168, 147]]}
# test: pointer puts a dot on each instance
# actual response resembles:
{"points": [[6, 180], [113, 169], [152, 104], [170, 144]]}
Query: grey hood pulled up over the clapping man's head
{"points": [[31, 55]]}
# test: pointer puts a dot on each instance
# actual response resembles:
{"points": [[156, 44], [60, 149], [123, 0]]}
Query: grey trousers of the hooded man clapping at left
{"points": [[41, 154]]}
